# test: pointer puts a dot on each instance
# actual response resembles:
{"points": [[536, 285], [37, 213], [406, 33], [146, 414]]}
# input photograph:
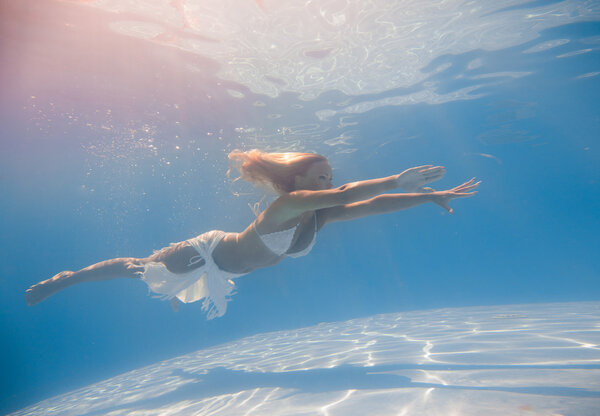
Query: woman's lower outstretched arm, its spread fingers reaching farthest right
{"points": [[385, 203]]}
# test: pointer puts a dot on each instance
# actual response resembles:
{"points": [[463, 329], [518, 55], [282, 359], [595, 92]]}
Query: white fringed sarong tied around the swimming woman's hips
{"points": [[207, 282]]}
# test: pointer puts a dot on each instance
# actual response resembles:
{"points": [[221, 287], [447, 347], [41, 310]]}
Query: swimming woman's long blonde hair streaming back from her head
{"points": [[275, 171]]}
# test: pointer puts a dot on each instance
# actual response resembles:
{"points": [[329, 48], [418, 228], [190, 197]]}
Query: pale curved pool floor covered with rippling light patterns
{"points": [[541, 359]]}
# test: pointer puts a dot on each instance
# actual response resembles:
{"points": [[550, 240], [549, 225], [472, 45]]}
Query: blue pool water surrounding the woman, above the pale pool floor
{"points": [[116, 120]]}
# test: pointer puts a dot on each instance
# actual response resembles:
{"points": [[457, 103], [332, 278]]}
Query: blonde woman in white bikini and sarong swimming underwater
{"points": [[203, 267]]}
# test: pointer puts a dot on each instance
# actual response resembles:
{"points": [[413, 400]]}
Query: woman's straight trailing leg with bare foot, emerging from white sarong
{"points": [[178, 258]]}
